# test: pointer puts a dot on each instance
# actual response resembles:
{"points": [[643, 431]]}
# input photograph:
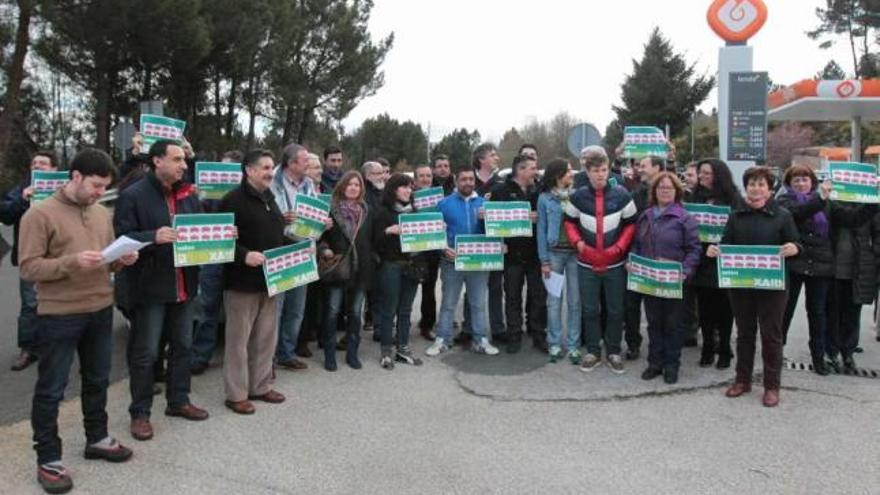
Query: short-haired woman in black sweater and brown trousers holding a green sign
{"points": [[760, 222]]}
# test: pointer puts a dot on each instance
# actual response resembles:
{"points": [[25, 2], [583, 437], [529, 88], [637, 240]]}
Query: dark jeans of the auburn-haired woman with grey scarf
{"points": [[334, 297]]}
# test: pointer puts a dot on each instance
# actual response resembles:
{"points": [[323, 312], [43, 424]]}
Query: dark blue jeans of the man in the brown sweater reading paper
{"points": [[61, 337]]}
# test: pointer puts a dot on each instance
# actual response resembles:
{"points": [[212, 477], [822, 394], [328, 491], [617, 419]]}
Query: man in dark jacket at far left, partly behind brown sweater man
{"points": [[13, 206]]}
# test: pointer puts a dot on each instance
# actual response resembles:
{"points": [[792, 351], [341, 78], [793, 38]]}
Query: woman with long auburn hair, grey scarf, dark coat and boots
{"points": [[349, 268]]}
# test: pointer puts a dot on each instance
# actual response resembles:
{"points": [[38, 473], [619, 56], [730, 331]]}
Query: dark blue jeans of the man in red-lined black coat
{"points": [[149, 323]]}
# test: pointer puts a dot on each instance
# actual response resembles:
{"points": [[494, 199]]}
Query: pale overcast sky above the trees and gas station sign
{"points": [[494, 64]]}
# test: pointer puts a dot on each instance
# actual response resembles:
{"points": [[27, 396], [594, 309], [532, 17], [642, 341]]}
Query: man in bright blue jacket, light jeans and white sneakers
{"points": [[461, 213]]}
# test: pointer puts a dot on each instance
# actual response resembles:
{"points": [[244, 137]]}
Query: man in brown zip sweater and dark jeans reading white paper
{"points": [[60, 250]]}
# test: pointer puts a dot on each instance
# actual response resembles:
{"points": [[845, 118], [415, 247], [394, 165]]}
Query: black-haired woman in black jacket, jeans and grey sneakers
{"points": [[399, 272]]}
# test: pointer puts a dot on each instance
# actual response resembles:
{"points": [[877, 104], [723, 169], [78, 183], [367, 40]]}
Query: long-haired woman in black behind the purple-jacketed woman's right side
{"points": [[715, 187]]}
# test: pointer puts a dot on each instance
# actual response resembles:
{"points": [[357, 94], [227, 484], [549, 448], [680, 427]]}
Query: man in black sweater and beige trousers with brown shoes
{"points": [[251, 315]]}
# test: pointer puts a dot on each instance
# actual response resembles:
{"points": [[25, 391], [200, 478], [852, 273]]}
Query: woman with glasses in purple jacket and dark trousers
{"points": [[666, 232]]}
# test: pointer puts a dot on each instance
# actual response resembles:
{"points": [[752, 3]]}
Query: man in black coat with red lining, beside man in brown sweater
{"points": [[163, 296]]}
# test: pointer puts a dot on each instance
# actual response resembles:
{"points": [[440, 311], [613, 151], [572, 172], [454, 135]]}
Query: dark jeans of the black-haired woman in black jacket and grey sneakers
{"points": [[396, 299]]}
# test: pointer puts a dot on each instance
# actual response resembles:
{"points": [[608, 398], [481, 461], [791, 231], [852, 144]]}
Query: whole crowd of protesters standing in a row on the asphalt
{"points": [[586, 220]]}
